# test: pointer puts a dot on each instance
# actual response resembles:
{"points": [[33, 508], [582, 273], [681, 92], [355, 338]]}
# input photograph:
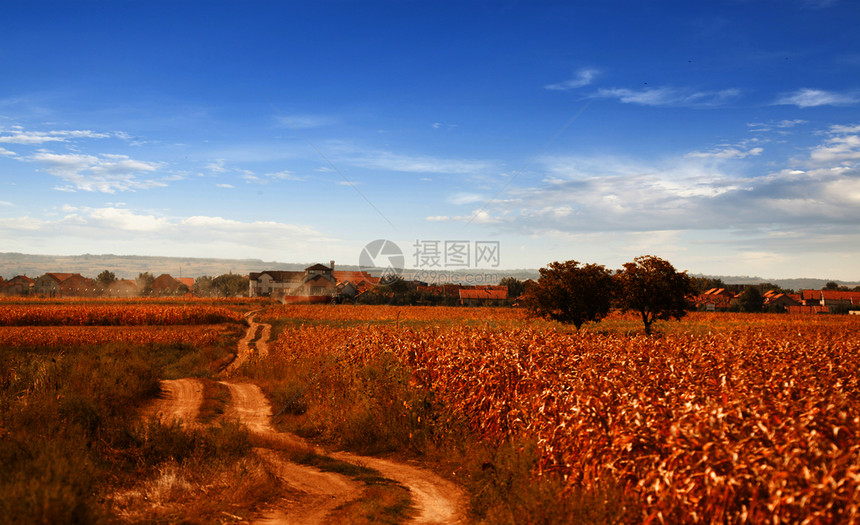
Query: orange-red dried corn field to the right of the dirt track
{"points": [[723, 418]]}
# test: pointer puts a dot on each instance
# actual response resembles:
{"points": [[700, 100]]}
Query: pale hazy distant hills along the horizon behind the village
{"points": [[130, 266]]}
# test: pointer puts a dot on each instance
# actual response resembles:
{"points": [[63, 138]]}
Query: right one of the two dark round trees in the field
{"points": [[652, 287]]}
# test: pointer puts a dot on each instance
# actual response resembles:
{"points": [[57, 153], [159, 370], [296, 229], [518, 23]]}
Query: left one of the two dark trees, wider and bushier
{"points": [[571, 293]]}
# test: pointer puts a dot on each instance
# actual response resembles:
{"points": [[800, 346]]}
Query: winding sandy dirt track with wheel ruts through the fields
{"points": [[436, 499]]}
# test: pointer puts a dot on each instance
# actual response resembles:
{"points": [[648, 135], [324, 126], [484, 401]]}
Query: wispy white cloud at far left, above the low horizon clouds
{"points": [[104, 173]]}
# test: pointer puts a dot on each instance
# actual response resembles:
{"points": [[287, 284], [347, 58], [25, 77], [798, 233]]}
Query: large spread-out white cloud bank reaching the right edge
{"points": [[698, 191]]}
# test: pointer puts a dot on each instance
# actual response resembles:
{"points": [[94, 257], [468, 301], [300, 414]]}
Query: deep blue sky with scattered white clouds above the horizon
{"points": [[722, 136]]}
